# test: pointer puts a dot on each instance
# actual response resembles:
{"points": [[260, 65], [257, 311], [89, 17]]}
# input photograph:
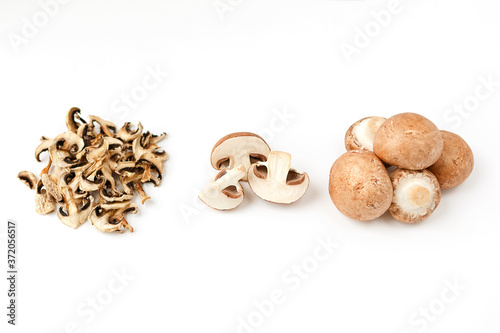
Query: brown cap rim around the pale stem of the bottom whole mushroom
{"points": [[396, 211]]}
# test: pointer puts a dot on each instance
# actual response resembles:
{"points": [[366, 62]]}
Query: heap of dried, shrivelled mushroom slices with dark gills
{"points": [[93, 170]]}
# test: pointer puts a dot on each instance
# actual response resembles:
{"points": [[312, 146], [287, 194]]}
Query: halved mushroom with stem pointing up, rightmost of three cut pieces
{"points": [[274, 181]]}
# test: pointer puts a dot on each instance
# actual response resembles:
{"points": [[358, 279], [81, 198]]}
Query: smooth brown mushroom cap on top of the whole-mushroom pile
{"points": [[408, 141]]}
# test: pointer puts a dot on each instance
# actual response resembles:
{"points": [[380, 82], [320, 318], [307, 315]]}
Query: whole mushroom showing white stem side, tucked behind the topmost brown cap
{"points": [[361, 134]]}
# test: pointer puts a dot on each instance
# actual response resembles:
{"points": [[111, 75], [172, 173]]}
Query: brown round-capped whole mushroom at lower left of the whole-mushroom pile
{"points": [[360, 186]]}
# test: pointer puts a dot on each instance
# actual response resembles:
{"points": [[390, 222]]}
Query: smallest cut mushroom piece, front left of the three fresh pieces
{"points": [[224, 192]]}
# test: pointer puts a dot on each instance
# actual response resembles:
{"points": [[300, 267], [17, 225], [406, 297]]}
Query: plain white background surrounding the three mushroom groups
{"points": [[199, 270]]}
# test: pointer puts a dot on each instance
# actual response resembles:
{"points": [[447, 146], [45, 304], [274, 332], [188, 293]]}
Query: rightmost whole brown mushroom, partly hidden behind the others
{"points": [[456, 162]]}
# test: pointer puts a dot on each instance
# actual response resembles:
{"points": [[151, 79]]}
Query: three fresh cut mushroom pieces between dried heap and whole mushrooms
{"points": [[245, 156]]}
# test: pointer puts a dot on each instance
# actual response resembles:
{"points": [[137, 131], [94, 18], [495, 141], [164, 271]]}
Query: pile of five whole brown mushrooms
{"points": [[399, 165]]}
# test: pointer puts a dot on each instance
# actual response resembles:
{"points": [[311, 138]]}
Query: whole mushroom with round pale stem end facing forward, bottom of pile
{"points": [[416, 195]]}
